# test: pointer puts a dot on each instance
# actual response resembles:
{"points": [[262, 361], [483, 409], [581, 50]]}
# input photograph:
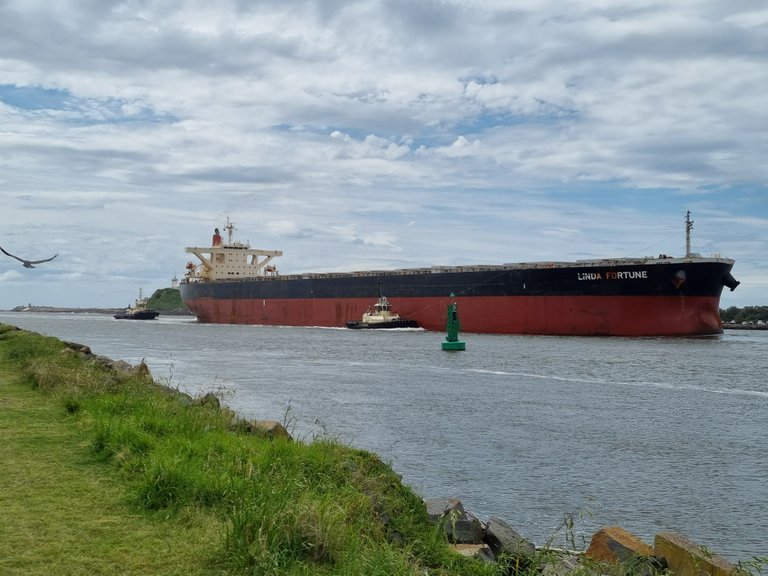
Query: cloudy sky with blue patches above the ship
{"points": [[376, 134]]}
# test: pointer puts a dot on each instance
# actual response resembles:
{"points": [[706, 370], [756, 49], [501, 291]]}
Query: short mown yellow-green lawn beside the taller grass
{"points": [[62, 513]]}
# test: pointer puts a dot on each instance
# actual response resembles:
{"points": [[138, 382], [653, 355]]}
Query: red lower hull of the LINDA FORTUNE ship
{"points": [[563, 315]]}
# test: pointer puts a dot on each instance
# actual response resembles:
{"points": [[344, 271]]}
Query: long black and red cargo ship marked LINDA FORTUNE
{"points": [[233, 283]]}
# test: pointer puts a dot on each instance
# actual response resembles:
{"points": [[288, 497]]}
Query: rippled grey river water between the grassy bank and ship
{"points": [[651, 434]]}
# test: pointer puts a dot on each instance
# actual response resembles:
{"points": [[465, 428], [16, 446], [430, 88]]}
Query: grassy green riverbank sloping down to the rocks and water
{"points": [[103, 471]]}
